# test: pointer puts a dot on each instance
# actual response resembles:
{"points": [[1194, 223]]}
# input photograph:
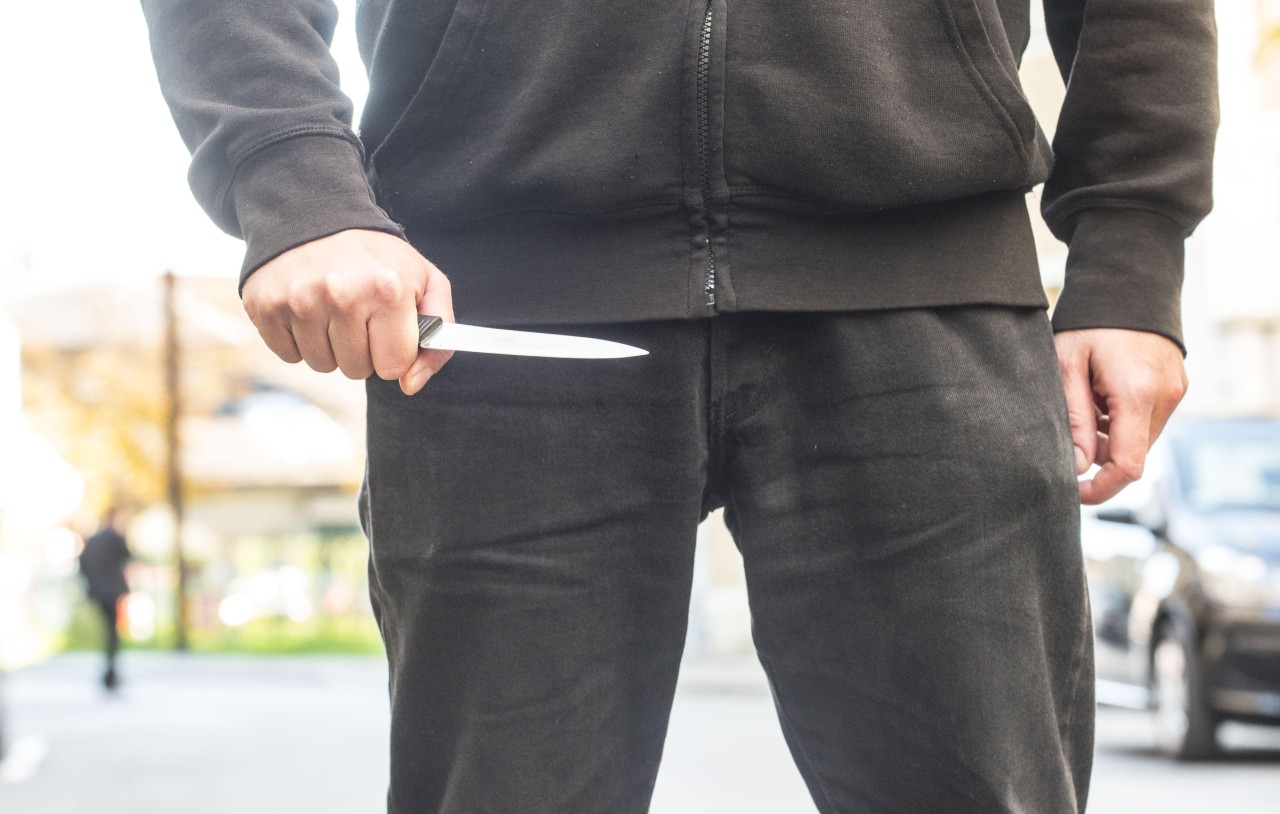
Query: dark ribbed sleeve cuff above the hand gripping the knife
{"points": [[301, 190]]}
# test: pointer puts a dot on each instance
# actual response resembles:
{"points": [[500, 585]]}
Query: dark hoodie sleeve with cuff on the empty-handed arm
{"points": [[1135, 144]]}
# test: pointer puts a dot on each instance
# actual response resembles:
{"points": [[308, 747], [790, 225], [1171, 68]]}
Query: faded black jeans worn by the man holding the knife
{"points": [[903, 492]]}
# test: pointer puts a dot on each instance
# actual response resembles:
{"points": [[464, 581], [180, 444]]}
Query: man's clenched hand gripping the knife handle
{"points": [[350, 301]]}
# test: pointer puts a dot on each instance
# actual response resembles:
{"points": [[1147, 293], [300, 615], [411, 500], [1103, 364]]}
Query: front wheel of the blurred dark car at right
{"points": [[1186, 725]]}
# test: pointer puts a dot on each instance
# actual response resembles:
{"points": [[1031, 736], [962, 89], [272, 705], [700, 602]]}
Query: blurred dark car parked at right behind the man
{"points": [[1185, 579]]}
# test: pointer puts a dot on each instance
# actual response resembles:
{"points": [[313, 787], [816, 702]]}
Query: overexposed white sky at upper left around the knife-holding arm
{"points": [[94, 176]]}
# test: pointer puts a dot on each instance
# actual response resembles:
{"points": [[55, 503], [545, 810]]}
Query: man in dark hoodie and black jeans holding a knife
{"points": [[813, 217]]}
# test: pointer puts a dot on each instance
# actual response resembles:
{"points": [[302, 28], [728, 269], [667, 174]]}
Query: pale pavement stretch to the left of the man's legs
{"points": [[199, 735]]}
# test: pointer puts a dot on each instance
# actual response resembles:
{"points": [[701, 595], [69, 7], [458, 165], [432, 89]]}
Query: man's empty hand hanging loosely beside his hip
{"points": [[1122, 387]]}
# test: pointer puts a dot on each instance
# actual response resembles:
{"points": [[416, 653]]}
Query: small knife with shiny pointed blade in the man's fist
{"points": [[435, 332]]}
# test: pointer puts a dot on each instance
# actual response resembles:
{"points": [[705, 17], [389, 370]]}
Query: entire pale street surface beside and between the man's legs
{"points": [[239, 735]]}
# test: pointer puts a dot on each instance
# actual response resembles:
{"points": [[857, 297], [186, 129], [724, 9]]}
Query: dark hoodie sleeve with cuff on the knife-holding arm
{"points": [[255, 94]]}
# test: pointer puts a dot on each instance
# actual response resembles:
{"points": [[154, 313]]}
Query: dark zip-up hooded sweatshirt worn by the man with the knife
{"points": [[595, 161]]}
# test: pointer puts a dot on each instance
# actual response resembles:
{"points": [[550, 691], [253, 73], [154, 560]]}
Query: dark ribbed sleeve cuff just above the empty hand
{"points": [[1124, 271]]}
